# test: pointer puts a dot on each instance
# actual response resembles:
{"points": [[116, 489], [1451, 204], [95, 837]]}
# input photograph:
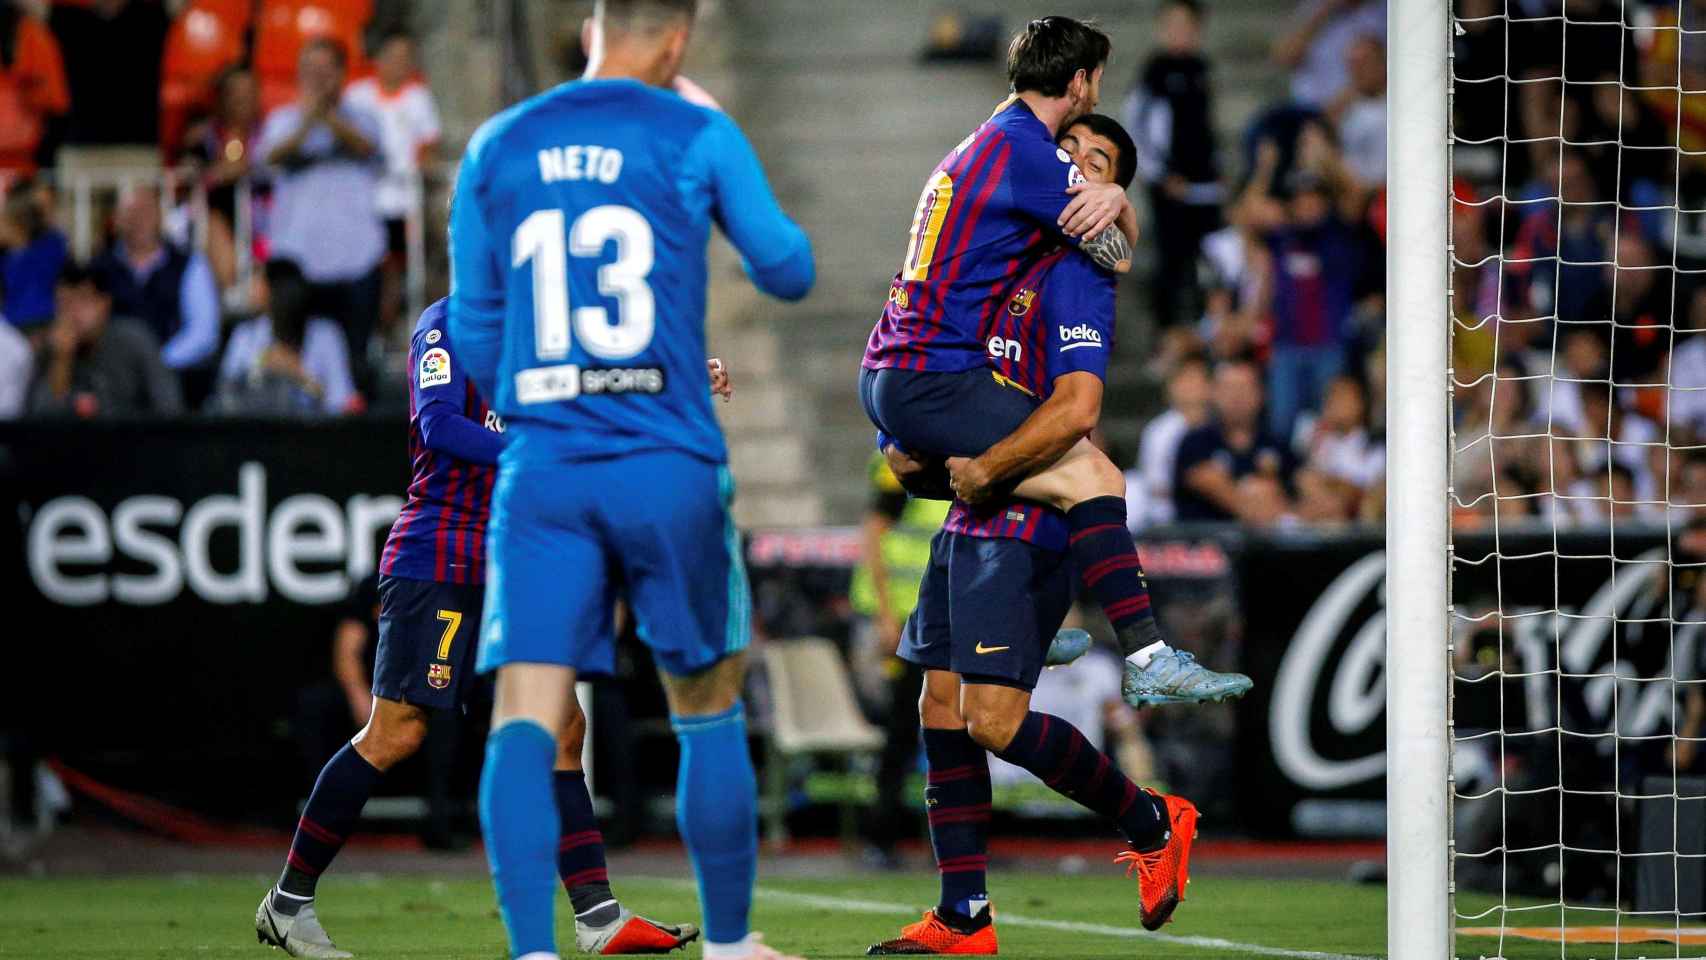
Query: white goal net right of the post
{"points": [[1579, 478]]}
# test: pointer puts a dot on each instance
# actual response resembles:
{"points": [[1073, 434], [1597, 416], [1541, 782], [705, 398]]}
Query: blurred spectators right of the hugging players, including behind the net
{"points": [[1574, 287]]}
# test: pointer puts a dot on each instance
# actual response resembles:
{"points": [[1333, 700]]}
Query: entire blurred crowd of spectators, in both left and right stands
{"points": [[293, 134]]}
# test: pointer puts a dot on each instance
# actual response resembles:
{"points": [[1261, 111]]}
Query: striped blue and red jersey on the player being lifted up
{"points": [[987, 214]]}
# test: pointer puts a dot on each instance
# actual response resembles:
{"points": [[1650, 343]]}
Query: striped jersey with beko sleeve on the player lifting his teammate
{"points": [[1059, 320]]}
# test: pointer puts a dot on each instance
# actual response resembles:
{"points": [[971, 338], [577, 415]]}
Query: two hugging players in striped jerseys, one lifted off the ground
{"points": [[985, 376]]}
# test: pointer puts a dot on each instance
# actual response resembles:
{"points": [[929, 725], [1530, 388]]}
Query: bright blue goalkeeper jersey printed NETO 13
{"points": [[577, 243]]}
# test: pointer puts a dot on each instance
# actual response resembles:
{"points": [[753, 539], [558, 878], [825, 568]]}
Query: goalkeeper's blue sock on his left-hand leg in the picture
{"points": [[518, 814]]}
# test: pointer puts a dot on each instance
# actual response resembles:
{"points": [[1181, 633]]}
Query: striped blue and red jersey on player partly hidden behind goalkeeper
{"points": [[455, 444]]}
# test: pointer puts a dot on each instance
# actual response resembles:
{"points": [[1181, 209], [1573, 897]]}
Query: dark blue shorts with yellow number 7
{"points": [[427, 639]]}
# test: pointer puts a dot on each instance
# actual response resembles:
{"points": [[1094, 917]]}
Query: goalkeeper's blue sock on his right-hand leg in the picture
{"points": [[717, 816]]}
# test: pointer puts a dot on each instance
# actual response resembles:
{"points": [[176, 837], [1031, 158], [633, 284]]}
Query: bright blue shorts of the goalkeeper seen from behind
{"points": [[571, 538]]}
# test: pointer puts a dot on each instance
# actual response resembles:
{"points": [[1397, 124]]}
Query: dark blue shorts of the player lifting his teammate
{"points": [[989, 610]]}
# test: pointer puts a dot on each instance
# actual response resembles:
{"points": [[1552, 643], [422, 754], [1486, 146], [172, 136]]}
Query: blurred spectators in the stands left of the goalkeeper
{"points": [[264, 161]]}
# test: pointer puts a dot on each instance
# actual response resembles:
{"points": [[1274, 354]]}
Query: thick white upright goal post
{"points": [[1419, 449]]}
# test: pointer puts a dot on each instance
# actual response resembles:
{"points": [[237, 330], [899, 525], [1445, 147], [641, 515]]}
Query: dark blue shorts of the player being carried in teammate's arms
{"points": [[944, 415]]}
